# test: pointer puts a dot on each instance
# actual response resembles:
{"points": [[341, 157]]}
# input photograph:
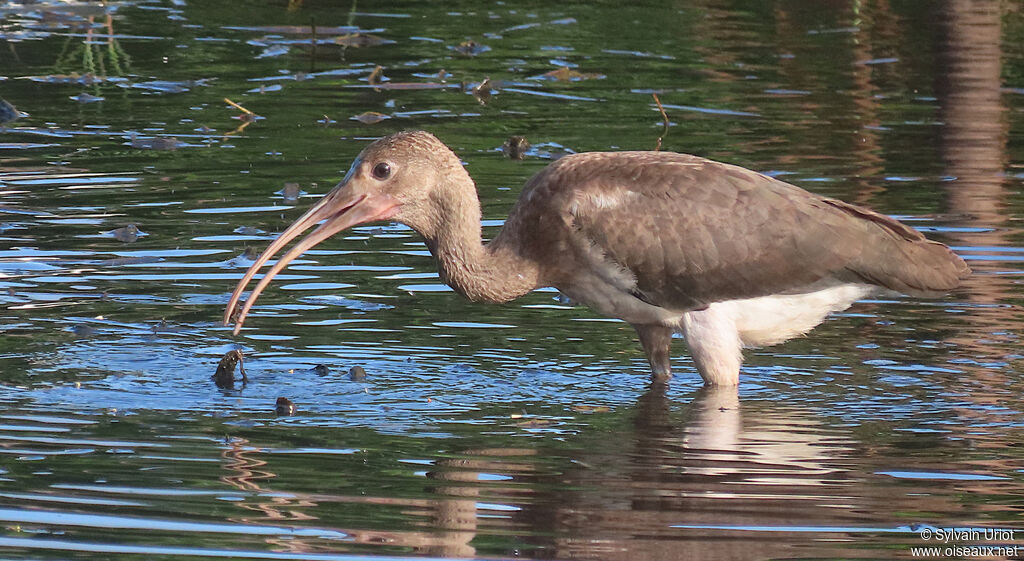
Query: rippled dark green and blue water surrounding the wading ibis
{"points": [[522, 430]]}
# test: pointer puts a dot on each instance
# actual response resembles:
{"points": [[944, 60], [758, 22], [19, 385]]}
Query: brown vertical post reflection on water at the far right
{"points": [[973, 146]]}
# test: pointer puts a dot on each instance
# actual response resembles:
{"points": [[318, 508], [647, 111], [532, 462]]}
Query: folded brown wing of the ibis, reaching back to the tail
{"points": [[692, 232]]}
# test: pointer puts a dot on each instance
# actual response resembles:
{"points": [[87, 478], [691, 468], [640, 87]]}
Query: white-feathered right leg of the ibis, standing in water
{"points": [[715, 346]]}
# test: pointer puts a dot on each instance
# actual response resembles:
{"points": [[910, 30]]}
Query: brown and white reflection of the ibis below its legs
{"points": [[690, 479]]}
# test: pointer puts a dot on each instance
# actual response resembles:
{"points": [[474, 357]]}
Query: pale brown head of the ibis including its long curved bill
{"points": [[398, 178]]}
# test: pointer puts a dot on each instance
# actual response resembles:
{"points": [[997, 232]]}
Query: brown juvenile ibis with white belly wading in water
{"points": [[666, 242]]}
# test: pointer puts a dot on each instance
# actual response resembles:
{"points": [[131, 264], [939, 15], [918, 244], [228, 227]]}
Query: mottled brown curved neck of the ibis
{"points": [[492, 273]]}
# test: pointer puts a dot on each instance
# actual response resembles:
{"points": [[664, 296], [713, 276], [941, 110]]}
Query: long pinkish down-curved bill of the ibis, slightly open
{"points": [[340, 209]]}
